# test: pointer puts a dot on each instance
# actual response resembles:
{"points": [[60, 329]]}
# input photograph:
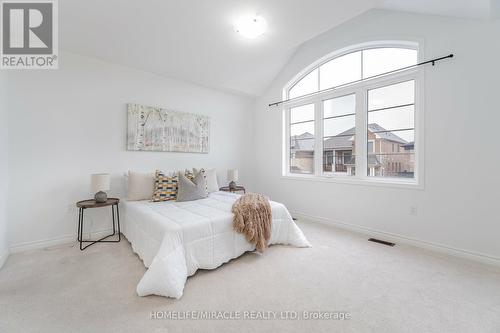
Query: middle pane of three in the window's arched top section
{"points": [[341, 70]]}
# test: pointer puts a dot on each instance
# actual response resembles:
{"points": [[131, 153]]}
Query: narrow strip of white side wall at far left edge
{"points": [[4, 177]]}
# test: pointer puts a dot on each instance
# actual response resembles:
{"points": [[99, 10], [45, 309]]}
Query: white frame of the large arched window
{"points": [[360, 89]]}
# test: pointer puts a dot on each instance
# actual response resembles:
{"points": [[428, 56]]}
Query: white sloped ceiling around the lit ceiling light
{"points": [[194, 40]]}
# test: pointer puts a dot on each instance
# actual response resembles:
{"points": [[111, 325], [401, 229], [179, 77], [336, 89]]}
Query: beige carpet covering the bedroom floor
{"points": [[400, 289]]}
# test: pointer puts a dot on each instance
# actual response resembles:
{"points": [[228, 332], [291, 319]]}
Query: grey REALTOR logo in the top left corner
{"points": [[29, 34]]}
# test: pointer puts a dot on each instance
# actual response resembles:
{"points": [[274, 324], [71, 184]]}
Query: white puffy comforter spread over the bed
{"points": [[174, 239]]}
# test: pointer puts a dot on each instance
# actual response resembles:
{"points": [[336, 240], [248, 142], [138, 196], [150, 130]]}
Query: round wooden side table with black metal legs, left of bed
{"points": [[86, 204]]}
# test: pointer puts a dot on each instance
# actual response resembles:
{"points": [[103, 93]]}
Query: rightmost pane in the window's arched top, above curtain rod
{"points": [[382, 60]]}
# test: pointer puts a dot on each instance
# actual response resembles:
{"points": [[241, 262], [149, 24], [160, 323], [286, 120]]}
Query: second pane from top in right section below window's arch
{"points": [[391, 119]]}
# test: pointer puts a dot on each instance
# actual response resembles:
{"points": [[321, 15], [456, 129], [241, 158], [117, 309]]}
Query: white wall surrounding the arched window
{"points": [[458, 206]]}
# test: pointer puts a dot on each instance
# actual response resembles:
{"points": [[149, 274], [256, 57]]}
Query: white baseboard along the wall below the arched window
{"points": [[487, 259]]}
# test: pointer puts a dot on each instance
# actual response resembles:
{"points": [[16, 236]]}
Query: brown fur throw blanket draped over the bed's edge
{"points": [[253, 218]]}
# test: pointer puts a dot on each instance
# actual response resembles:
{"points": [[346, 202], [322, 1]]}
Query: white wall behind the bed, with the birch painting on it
{"points": [[69, 123]]}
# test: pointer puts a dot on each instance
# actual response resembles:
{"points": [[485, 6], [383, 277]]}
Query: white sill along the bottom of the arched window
{"points": [[350, 180]]}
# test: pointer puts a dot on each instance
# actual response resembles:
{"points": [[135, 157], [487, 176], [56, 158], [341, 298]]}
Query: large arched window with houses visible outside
{"points": [[352, 115]]}
